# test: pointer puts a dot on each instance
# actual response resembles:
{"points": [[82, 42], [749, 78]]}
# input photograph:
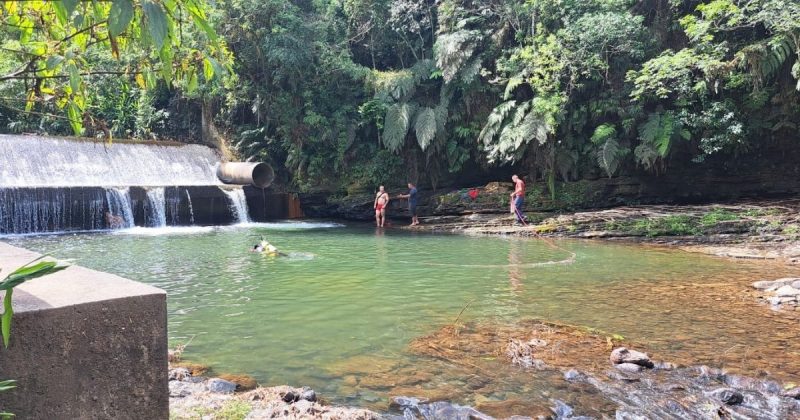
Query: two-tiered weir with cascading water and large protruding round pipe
{"points": [[53, 184]]}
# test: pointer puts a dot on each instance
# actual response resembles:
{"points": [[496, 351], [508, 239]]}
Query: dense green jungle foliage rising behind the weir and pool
{"points": [[357, 92]]}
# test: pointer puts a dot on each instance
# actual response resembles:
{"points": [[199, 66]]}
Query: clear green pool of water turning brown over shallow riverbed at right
{"points": [[348, 299]]}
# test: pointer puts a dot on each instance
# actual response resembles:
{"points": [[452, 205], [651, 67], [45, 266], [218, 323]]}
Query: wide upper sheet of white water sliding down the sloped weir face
{"points": [[36, 161]]}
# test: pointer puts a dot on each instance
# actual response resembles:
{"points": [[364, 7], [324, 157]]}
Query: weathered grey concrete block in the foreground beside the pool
{"points": [[85, 345]]}
